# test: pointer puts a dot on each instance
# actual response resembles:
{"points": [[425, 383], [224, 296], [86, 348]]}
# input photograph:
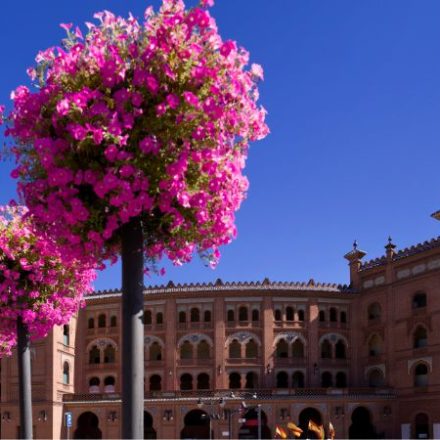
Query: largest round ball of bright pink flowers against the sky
{"points": [[144, 119]]}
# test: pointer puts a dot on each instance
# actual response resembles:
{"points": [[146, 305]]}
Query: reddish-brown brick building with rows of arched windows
{"points": [[365, 357]]}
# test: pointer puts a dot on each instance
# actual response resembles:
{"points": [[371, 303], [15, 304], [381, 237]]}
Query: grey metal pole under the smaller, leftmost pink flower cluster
{"points": [[24, 383]]}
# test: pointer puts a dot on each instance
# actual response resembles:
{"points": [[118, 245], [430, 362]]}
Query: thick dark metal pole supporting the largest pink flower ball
{"points": [[132, 330]]}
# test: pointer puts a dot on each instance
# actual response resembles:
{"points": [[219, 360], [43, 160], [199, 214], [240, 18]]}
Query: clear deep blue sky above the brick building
{"points": [[353, 94]]}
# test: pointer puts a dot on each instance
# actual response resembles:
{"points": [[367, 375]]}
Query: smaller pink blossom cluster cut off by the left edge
{"points": [[36, 282]]}
